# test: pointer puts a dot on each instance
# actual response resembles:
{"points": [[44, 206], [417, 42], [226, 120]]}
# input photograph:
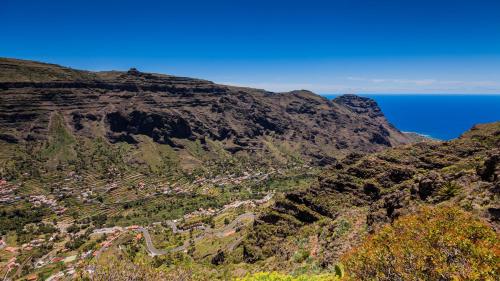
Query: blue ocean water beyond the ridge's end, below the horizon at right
{"points": [[442, 117]]}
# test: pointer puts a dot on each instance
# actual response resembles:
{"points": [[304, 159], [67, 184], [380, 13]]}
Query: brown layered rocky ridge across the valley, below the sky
{"points": [[171, 110]]}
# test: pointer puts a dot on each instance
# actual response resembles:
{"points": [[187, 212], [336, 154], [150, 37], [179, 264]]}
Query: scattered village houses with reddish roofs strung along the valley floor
{"points": [[13, 257]]}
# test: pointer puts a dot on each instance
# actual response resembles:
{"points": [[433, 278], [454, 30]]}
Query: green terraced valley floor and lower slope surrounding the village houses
{"points": [[81, 184]]}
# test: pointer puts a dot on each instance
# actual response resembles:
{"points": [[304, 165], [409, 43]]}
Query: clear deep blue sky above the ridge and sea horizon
{"points": [[337, 46]]}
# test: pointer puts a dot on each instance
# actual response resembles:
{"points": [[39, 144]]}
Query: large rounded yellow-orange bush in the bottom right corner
{"points": [[440, 243]]}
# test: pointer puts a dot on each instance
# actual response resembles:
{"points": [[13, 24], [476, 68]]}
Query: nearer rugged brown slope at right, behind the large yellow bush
{"points": [[362, 193]]}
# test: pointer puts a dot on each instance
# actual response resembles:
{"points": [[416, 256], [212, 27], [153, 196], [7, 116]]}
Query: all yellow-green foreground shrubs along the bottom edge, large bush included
{"points": [[435, 243]]}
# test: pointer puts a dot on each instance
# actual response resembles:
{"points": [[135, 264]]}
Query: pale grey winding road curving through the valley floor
{"points": [[225, 231]]}
